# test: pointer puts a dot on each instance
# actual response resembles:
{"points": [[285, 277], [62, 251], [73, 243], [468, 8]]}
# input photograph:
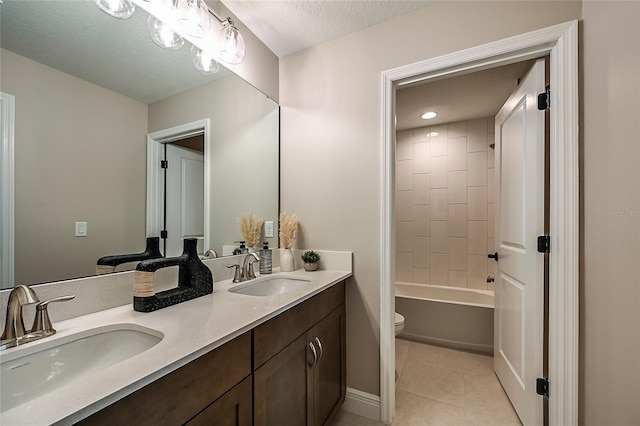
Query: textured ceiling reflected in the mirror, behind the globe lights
{"points": [[77, 38]]}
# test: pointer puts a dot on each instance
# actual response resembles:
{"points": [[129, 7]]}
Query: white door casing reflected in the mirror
{"points": [[155, 184]]}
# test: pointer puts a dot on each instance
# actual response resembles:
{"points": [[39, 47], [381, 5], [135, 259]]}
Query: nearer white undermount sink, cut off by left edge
{"points": [[35, 374]]}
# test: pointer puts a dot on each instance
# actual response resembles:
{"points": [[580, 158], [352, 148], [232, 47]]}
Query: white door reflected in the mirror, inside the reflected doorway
{"points": [[184, 199]]}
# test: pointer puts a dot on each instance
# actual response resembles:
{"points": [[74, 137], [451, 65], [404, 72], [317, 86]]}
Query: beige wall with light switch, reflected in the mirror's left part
{"points": [[79, 156]]}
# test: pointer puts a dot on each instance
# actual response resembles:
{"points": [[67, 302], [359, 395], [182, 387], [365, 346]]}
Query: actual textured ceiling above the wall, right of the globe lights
{"points": [[289, 26]]}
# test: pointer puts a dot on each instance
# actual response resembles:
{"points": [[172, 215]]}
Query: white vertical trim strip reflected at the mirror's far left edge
{"points": [[7, 191]]}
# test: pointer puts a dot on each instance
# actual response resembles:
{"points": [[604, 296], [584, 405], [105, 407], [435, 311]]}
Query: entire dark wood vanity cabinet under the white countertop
{"points": [[298, 361]]}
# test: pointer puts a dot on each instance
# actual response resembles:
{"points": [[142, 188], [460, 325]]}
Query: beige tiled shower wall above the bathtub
{"points": [[445, 204]]}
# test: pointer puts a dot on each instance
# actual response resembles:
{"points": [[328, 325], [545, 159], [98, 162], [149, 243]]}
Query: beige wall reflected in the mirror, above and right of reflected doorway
{"points": [[243, 154]]}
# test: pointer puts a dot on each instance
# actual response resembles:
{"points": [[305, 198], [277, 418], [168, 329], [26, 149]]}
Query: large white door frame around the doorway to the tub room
{"points": [[560, 42]]}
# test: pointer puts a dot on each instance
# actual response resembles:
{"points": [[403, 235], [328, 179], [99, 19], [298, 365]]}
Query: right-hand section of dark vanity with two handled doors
{"points": [[305, 382]]}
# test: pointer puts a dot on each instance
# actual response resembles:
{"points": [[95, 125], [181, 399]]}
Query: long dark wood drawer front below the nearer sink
{"points": [[177, 397]]}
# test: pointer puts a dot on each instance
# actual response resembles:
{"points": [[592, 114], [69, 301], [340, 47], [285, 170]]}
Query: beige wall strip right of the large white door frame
{"points": [[610, 228]]}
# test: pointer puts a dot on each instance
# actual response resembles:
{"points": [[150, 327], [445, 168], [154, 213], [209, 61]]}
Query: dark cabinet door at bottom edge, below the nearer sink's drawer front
{"points": [[234, 408]]}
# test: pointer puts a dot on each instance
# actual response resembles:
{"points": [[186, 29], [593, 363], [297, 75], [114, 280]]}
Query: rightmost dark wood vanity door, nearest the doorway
{"points": [[329, 373]]}
